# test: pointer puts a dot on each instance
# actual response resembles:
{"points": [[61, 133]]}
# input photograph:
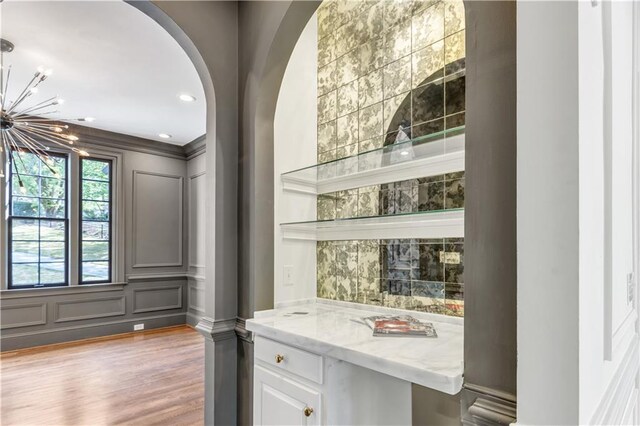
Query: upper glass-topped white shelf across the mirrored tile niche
{"points": [[430, 155]]}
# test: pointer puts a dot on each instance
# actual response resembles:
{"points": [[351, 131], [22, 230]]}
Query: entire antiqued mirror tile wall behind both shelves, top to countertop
{"points": [[389, 72]]}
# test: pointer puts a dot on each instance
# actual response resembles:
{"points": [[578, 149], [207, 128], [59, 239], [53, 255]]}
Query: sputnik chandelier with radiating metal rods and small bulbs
{"points": [[25, 126]]}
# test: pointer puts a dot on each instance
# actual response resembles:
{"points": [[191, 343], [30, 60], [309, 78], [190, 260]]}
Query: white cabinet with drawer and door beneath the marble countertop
{"points": [[293, 386]]}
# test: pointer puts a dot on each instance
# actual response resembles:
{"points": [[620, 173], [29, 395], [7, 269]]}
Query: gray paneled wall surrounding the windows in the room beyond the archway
{"points": [[154, 289]]}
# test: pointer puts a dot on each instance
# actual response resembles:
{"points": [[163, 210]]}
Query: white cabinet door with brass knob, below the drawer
{"points": [[278, 400]]}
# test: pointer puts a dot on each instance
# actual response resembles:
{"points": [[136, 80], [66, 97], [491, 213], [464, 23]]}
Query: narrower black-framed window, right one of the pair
{"points": [[95, 221]]}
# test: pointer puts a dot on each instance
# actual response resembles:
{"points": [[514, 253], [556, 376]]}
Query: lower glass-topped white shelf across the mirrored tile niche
{"points": [[427, 224]]}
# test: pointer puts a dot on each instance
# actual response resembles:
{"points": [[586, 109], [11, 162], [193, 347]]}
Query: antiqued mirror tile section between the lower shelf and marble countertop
{"points": [[416, 274]]}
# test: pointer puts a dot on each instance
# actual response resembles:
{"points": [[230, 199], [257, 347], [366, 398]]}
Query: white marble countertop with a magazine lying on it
{"points": [[328, 329]]}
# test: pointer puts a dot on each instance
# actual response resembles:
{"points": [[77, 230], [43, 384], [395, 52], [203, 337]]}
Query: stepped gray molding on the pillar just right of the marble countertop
{"points": [[487, 407]]}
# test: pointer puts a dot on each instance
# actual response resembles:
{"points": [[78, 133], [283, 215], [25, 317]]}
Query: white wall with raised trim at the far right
{"points": [[564, 376]]}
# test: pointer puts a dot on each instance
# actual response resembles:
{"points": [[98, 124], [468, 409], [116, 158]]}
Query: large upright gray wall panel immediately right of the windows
{"points": [[157, 242]]}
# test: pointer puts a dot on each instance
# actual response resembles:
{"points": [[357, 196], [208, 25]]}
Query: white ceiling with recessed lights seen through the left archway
{"points": [[109, 61]]}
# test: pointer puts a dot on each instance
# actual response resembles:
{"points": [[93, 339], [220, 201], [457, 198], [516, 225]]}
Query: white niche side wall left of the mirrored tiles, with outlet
{"points": [[295, 144]]}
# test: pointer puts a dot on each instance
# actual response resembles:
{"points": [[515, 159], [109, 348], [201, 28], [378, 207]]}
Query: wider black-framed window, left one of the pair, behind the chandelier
{"points": [[38, 221]]}
